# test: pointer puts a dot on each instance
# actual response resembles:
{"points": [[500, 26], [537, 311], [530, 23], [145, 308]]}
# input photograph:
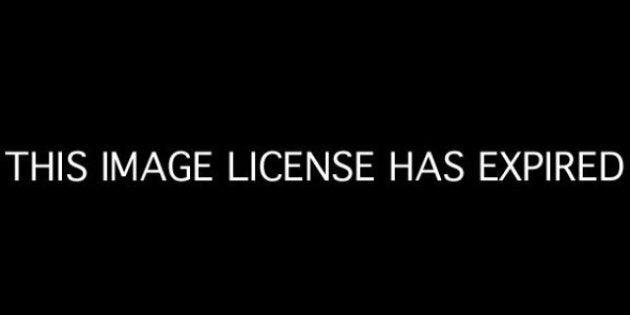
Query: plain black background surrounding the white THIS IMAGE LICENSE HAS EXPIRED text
{"points": [[512, 80]]}
